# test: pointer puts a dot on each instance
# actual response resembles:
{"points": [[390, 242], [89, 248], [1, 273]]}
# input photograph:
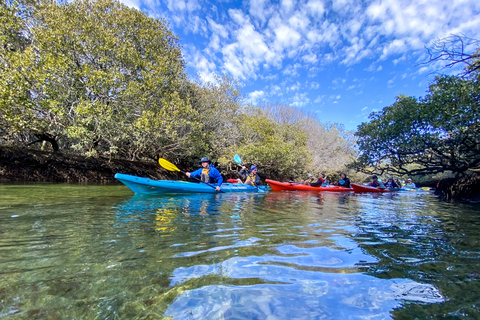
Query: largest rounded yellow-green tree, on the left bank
{"points": [[101, 76]]}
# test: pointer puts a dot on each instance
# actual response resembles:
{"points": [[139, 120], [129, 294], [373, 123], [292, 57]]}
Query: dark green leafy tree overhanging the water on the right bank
{"points": [[437, 133]]}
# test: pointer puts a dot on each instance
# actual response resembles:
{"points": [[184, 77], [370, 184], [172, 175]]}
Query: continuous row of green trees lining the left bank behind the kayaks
{"points": [[97, 78]]}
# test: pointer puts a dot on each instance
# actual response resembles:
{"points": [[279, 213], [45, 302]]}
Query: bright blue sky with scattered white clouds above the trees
{"points": [[339, 60]]}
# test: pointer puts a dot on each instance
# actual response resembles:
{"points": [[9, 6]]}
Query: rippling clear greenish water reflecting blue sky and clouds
{"points": [[70, 251]]}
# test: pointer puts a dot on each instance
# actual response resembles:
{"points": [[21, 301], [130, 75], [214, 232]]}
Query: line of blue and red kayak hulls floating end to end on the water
{"points": [[151, 186]]}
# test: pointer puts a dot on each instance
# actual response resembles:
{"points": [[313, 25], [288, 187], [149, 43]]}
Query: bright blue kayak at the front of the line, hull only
{"points": [[149, 186]]}
